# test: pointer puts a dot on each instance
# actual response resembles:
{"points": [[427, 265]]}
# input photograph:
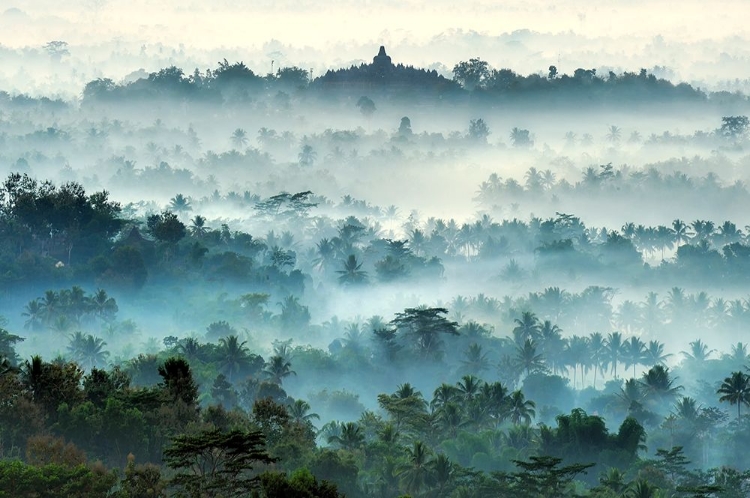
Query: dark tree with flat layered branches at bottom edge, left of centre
{"points": [[214, 462]]}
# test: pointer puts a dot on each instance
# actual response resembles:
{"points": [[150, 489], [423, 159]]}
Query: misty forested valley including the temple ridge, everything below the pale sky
{"points": [[375, 281]]}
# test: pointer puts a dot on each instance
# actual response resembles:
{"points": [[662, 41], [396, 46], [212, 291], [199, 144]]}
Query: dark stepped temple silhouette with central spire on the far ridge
{"points": [[383, 76]]}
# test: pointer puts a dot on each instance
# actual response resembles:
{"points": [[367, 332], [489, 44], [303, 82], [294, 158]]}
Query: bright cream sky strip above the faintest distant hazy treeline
{"points": [[219, 23]]}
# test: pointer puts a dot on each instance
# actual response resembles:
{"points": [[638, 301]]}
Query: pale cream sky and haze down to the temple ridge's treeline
{"points": [[702, 43]]}
